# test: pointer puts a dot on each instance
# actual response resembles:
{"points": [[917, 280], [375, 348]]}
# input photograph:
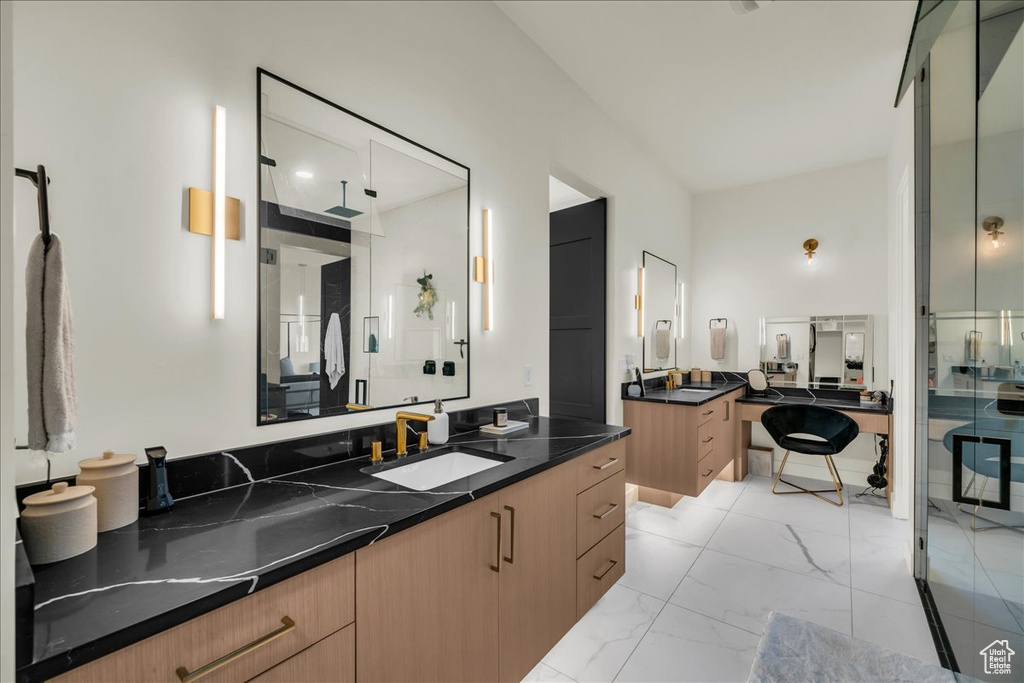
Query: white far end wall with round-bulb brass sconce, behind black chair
{"points": [[749, 264]]}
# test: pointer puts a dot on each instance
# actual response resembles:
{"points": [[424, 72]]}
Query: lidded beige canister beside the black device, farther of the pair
{"points": [[116, 481]]}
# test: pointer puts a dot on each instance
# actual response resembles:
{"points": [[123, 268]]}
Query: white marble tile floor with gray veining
{"points": [[703, 577]]}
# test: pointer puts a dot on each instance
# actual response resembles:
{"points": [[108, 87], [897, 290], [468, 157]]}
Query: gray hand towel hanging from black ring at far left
{"points": [[50, 346]]}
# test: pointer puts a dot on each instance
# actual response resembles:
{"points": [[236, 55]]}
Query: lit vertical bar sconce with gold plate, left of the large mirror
{"points": [[216, 215]]}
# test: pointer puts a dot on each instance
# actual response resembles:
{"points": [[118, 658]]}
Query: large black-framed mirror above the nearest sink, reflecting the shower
{"points": [[364, 279]]}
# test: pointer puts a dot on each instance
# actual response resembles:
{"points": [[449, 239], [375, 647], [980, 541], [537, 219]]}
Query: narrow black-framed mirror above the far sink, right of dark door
{"points": [[659, 314]]}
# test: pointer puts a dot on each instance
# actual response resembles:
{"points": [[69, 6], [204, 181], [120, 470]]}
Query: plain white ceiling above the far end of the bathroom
{"points": [[727, 100]]}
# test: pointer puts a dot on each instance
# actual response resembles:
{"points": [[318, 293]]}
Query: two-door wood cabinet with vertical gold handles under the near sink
{"points": [[478, 594]]}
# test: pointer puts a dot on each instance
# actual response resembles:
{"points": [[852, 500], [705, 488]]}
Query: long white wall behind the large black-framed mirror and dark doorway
{"points": [[116, 99]]}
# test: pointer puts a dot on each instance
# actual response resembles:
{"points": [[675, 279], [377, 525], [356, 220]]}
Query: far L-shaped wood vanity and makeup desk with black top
{"points": [[686, 437]]}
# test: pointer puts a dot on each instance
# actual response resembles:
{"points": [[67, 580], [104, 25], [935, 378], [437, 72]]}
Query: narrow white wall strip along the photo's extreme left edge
{"points": [[9, 506]]}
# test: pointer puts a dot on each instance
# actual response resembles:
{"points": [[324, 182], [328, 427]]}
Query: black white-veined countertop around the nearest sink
{"points": [[217, 547]]}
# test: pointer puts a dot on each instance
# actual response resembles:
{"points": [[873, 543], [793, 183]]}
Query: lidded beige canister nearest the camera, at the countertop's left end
{"points": [[59, 524]]}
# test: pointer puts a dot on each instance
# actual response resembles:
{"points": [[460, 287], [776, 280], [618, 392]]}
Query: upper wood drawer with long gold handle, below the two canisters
{"points": [[319, 603]]}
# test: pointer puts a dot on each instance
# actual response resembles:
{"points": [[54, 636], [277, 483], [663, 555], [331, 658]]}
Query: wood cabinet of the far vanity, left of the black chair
{"points": [[680, 449]]}
